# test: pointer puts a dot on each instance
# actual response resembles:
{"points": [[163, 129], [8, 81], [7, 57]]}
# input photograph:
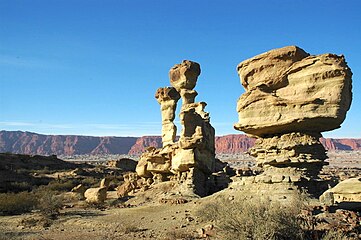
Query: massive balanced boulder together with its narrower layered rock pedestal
{"points": [[291, 97]]}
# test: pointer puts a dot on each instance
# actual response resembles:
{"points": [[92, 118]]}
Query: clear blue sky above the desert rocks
{"points": [[92, 67]]}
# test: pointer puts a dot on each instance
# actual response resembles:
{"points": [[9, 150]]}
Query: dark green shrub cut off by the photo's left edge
{"points": [[17, 203]]}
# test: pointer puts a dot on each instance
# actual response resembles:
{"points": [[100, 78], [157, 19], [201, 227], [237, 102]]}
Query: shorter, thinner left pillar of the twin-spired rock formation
{"points": [[168, 97]]}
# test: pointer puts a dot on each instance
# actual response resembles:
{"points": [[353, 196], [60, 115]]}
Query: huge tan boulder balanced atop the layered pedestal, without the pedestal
{"points": [[287, 90]]}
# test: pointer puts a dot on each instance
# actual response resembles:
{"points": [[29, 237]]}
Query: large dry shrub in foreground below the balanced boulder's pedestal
{"points": [[257, 218]]}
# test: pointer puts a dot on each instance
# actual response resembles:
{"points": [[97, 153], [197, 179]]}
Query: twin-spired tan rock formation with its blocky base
{"points": [[190, 160]]}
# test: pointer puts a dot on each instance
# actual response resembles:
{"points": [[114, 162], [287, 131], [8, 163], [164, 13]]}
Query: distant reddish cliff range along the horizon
{"points": [[33, 143]]}
